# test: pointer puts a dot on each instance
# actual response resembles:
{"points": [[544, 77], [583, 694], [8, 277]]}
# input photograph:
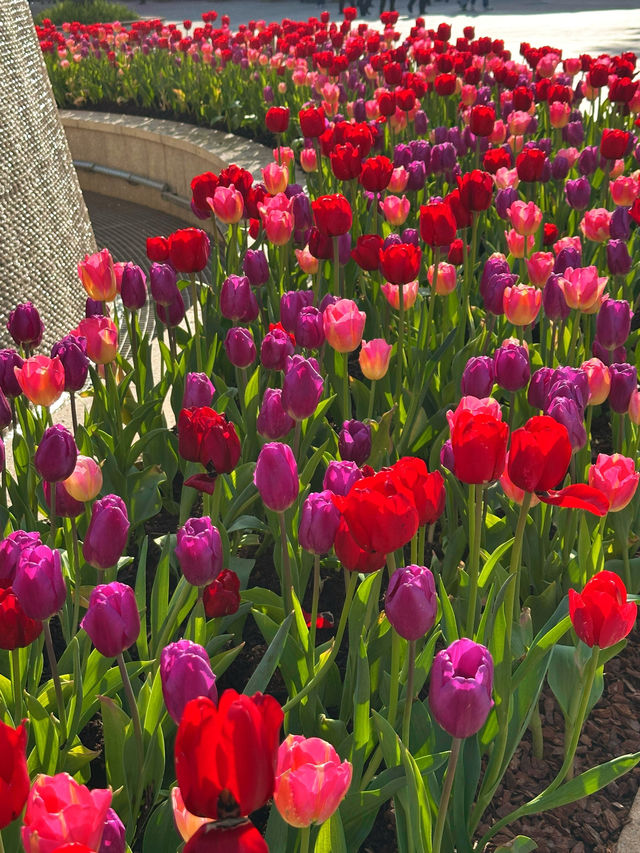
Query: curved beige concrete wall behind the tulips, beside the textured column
{"points": [[166, 153]]}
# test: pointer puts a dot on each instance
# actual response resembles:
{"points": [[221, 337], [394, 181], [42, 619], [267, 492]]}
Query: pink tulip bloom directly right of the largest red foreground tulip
{"points": [[311, 781]]}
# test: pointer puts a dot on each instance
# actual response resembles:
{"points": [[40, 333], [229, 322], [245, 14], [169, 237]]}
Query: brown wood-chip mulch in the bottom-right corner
{"points": [[592, 825]]}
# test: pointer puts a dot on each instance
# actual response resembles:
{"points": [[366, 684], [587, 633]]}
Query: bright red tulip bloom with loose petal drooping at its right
{"points": [[540, 454]]}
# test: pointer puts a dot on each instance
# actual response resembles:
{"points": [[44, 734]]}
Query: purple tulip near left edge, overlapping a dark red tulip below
{"points": [[38, 583]]}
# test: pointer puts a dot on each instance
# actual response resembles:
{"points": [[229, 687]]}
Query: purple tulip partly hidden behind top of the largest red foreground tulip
{"points": [[185, 672]]}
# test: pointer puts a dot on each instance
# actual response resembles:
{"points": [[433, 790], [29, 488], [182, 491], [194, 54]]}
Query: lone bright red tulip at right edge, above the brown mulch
{"points": [[600, 614]]}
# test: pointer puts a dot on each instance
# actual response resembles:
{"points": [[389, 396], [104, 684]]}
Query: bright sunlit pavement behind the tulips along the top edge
{"points": [[577, 27]]}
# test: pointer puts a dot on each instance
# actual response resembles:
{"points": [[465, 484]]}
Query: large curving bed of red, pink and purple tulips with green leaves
{"points": [[403, 470]]}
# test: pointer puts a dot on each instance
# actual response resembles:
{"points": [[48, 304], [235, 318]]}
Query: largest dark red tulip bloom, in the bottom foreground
{"points": [[226, 756]]}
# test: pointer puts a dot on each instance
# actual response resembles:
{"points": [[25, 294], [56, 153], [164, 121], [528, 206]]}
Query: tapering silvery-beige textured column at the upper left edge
{"points": [[44, 225]]}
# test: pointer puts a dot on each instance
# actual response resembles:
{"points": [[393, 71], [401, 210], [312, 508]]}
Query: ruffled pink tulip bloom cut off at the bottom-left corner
{"points": [[60, 810]]}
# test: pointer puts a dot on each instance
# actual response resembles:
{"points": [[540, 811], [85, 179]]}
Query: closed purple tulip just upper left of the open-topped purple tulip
{"points": [[411, 603]]}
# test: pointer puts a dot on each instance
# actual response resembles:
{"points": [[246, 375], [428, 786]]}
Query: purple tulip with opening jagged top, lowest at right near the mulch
{"points": [[460, 688]]}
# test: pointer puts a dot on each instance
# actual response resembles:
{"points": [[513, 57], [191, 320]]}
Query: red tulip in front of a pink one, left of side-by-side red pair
{"points": [[479, 444]]}
